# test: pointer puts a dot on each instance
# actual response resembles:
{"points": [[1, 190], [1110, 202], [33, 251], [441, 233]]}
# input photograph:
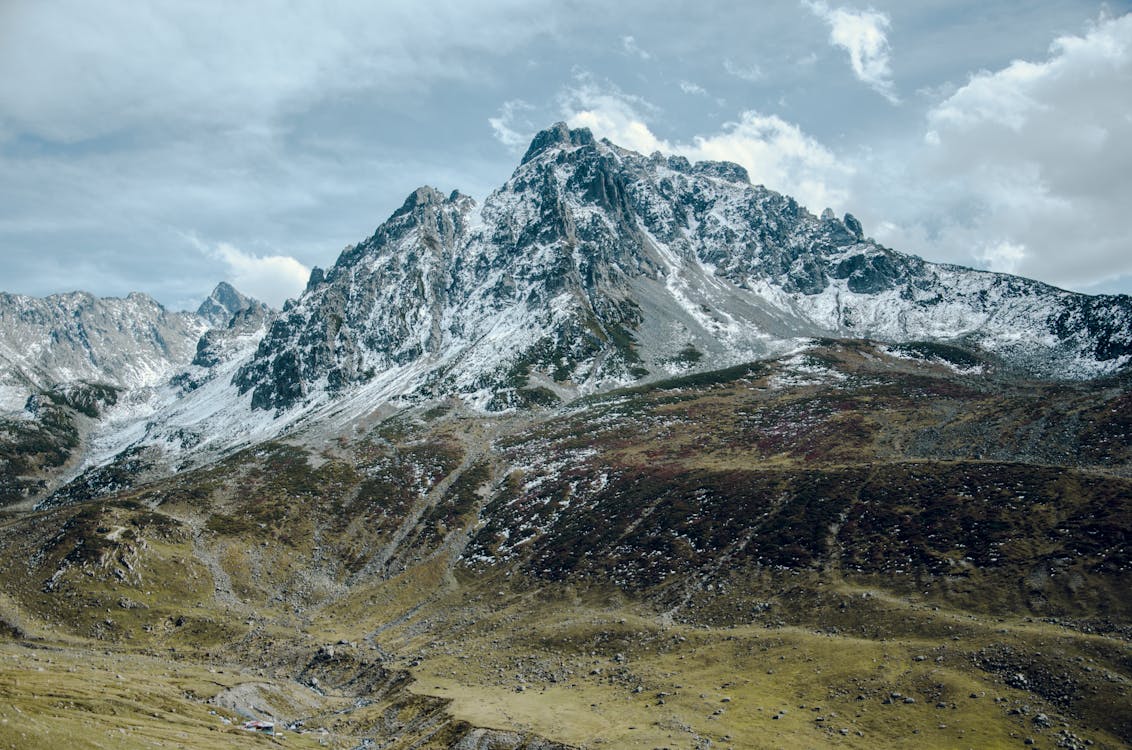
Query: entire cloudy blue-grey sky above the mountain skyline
{"points": [[165, 146]]}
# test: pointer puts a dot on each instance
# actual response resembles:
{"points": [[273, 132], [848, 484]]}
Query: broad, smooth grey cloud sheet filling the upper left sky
{"points": [[73, 71]]}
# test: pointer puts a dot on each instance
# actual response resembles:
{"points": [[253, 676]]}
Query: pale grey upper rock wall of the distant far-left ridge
{"points": [[76, 338]]}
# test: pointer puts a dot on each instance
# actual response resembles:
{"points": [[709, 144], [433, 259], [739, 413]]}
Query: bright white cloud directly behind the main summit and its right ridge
{"points": [[776, 153]]}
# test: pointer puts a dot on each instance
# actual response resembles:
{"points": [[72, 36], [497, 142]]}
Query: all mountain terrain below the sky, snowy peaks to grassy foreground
{"points": [[634, 454]]}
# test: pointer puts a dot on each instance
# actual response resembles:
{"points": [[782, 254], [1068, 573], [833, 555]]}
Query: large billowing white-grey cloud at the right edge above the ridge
{"points": [[1026, 169]]}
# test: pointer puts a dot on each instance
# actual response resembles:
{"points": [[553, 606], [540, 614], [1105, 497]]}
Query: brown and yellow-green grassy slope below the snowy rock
{"points": [[758, 537]]}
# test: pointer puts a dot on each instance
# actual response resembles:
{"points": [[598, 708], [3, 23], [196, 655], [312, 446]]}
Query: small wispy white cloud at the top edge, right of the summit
{"points": [[862, 35]]}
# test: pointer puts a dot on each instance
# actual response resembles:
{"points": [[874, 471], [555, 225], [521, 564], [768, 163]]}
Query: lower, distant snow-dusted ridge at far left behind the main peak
{"points": [[78, 372]]}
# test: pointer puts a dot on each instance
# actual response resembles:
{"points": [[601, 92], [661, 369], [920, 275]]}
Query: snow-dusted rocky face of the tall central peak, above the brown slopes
{"points": [[595, 266]]}
